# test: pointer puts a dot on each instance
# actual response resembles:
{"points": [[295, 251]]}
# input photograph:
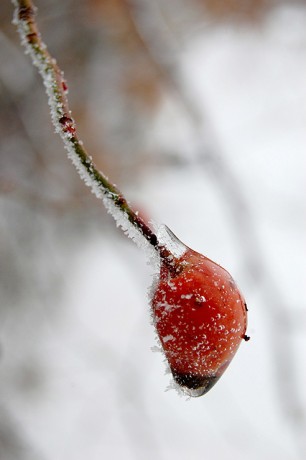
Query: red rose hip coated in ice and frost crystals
{"points": [[200, 317]]}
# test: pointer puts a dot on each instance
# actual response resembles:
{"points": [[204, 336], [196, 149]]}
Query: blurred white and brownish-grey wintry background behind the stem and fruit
{"points": [[197, 111]]}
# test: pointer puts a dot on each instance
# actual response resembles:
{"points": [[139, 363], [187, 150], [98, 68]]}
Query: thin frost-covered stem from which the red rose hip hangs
{"points": [[56, 87]]}
